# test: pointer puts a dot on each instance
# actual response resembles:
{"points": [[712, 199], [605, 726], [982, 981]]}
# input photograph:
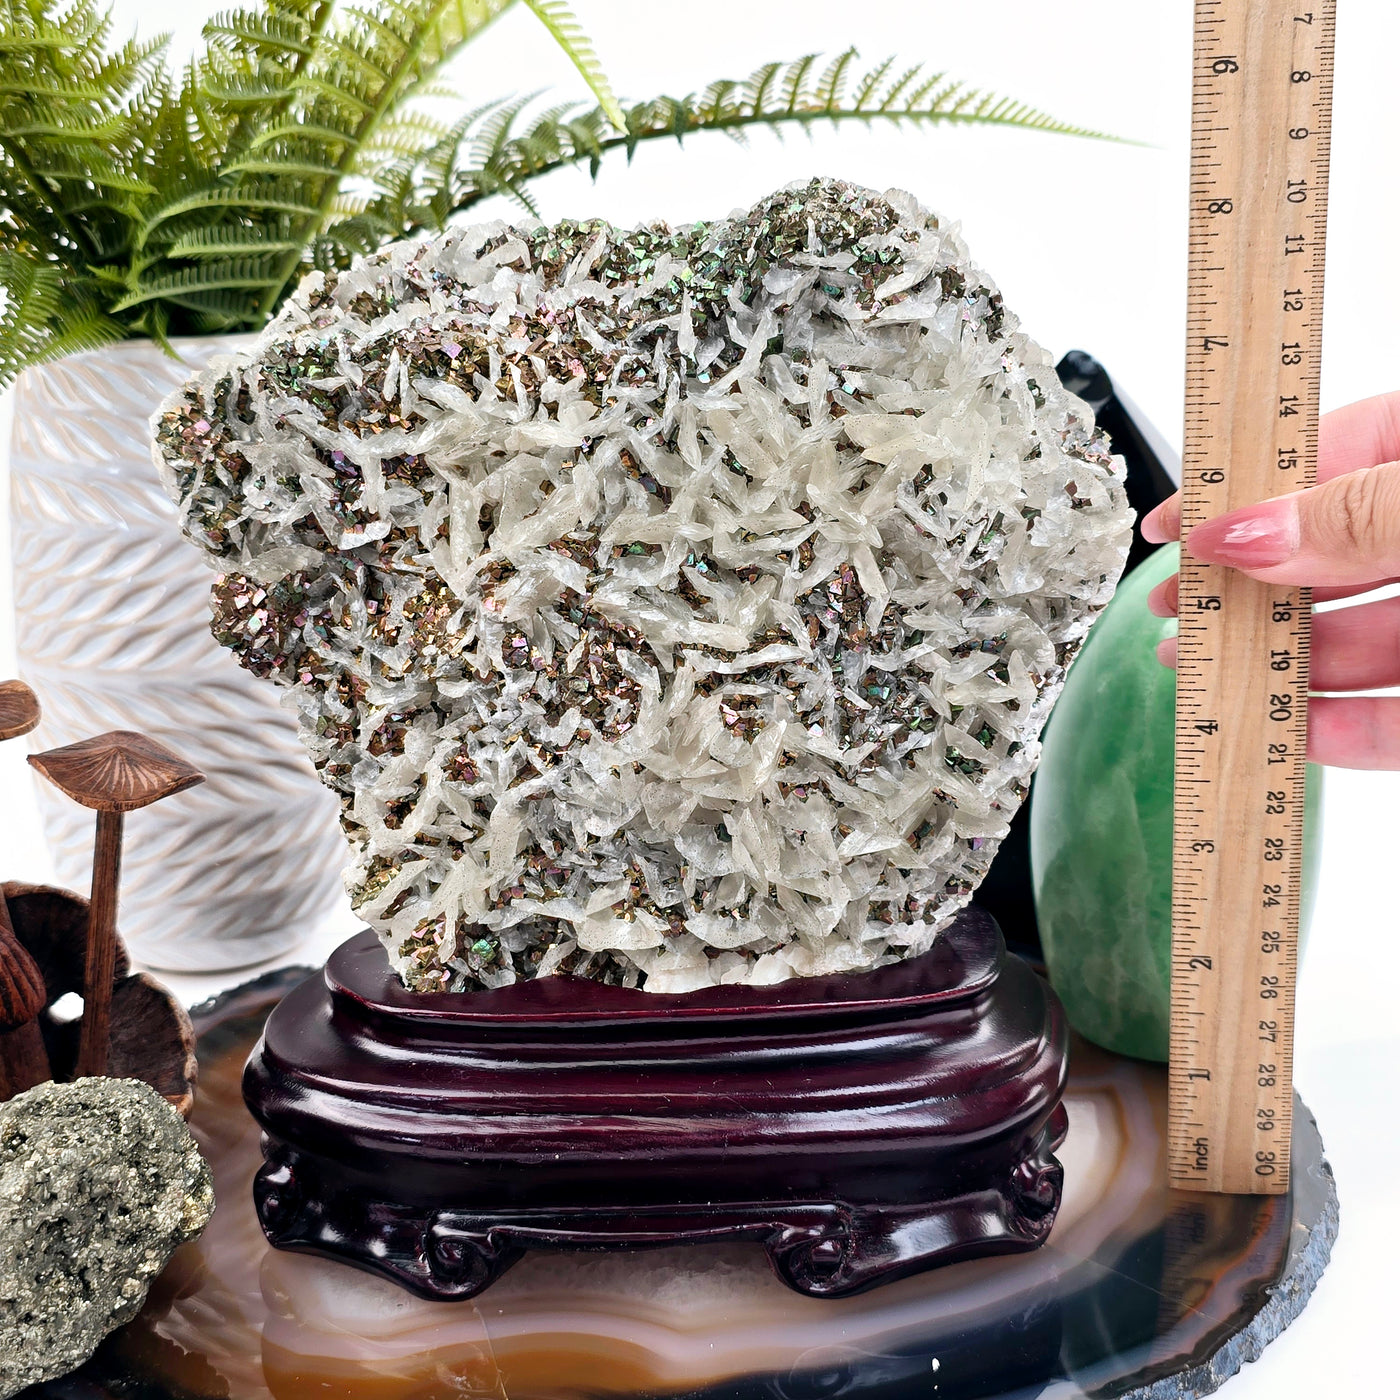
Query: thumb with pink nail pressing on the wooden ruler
{"points": [[1346, 531]]}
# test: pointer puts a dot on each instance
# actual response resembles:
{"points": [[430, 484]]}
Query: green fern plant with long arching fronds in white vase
{"points": [[139, 202]]}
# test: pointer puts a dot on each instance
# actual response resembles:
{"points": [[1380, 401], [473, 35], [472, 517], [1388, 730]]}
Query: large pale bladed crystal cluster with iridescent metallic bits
{"points": [[671, 607]]}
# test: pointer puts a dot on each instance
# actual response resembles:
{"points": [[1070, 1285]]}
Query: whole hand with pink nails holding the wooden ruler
{"points": [[1342, 538]]}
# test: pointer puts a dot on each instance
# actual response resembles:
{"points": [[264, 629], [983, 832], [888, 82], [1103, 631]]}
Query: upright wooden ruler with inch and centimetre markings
{"points": [[1261, 132]]}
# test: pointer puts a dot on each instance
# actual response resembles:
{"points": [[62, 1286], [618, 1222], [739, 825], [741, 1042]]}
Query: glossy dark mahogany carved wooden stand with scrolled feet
{"points": [[862, 1128]]}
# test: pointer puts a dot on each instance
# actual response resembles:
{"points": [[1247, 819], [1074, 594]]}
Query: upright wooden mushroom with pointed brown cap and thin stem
{"points": [[113, 775]]}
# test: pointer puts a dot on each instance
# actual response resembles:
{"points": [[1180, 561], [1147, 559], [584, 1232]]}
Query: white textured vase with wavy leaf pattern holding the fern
{"points": [[113, 633]]}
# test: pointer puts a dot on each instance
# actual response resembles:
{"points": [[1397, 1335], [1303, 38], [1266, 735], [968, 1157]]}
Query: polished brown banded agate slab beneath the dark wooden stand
{"points": [[1136, 1284]]}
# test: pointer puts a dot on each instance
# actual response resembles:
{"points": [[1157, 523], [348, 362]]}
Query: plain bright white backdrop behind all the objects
{"points": [[1088, 241]]}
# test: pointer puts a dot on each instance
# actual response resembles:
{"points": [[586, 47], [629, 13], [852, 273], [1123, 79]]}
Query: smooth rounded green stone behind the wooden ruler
{"points": [[1101, 827]]}
